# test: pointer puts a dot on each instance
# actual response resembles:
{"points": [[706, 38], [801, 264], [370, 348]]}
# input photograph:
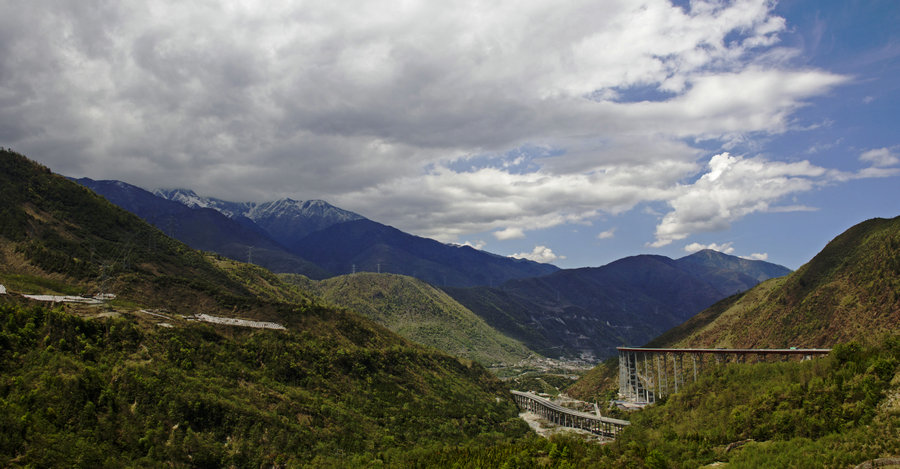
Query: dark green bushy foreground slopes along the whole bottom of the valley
{"points": [[109, 392]]}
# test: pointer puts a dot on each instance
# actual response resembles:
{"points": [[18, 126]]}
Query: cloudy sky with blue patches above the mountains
{"points": [[574, 132]]}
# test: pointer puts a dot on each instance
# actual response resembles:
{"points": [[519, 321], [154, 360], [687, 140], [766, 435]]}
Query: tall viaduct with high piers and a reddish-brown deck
{"points": [[648, 373]]}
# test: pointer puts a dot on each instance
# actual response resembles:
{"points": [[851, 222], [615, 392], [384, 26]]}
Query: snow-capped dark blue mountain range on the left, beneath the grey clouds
{"points": [[312, 238]]}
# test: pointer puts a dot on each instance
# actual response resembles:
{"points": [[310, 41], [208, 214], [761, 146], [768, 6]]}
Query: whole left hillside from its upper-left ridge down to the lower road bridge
{"points": [[137, 382]]}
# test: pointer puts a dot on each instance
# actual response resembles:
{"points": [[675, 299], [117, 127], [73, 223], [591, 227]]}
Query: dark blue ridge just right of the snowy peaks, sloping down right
{"points": [[365, 245]]}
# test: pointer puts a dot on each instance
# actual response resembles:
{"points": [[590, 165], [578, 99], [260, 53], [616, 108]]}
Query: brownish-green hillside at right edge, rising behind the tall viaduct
{"points": [[849, 291]]}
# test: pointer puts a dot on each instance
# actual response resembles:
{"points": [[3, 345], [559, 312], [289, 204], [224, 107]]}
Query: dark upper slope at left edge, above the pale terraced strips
{"points": [[58, 237]]}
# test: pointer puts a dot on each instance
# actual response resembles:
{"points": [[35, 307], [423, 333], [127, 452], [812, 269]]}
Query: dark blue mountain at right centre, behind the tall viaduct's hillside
{"points": [[590, 311]]}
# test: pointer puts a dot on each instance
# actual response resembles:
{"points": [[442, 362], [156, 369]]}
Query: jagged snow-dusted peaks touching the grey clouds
{"points": [[286, 221]]}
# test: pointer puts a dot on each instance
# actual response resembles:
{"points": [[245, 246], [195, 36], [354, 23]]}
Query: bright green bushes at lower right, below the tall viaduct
{"points": [[832, 412]]}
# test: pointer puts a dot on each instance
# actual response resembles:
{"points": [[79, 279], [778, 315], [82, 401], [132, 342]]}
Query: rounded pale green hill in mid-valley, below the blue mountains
{"points": [[422, 313]]}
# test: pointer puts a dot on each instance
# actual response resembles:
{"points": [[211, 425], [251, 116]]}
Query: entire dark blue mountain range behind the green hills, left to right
{"points": [[569, 313]]}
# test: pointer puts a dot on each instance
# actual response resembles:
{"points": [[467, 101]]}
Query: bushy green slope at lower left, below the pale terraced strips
{"points": [[92, 393]]}
